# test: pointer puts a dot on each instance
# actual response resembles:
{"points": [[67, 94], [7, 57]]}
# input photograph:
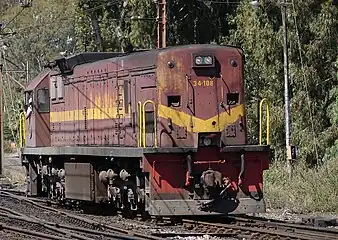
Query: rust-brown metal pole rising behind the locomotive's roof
{"points": [[161, 23]]}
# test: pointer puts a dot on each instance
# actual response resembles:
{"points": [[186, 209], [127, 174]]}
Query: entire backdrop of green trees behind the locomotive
{"points": [[50, 28]]}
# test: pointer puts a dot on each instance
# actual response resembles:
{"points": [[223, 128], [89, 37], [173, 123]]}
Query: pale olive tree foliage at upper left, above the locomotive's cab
{"points": [[43, 31]]}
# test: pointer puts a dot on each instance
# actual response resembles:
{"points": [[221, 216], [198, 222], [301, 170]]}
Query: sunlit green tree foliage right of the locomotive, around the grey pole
{"points": [[260, 34]]}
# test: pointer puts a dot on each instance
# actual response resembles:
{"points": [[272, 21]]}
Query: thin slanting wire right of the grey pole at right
{"points": [[306, 82]]}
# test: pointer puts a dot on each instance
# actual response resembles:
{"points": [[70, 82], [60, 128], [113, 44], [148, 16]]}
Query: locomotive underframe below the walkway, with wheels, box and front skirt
{"points": [[135, 176]]}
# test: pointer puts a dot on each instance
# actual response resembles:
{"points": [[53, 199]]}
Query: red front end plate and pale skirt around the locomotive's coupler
{"points": [[168, 186]]}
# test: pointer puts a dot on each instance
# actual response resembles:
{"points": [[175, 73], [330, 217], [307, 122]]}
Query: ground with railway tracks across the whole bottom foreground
{"points": [[38, 218]]}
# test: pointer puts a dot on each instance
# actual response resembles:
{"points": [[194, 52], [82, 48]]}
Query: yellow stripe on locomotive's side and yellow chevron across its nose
{"points": [[179, 118]]}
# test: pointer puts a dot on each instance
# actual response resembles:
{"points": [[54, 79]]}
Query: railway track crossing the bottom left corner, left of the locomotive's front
{"points": [[31, 213]]}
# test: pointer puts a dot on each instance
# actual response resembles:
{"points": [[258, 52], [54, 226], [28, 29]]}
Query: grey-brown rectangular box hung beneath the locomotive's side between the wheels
{"points": [[79, 181]]}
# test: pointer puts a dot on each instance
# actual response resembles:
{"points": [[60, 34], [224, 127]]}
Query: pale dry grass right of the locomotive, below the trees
{"points": [[310, 190]]}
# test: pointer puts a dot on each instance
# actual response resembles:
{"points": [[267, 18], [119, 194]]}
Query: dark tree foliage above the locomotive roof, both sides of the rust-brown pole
{"points": [[188, 22]]}
